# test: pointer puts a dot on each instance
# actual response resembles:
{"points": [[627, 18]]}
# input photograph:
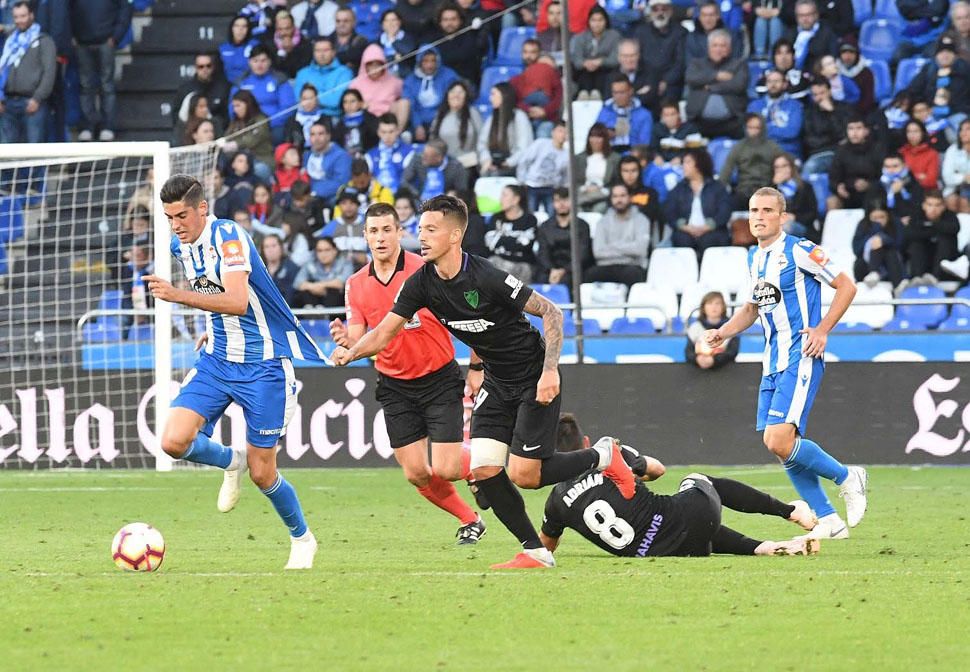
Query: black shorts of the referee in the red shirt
{"points": [[429, 406]]}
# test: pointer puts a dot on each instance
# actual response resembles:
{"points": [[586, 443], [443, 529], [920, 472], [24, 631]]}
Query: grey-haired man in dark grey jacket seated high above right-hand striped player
{"points": [[717, 89]]}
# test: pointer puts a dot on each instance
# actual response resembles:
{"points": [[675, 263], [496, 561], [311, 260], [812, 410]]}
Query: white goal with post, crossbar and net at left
{"points": [[80, 353]]}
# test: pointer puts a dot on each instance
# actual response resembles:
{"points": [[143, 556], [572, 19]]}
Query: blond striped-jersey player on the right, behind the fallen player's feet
{"points": [[786, 273]]}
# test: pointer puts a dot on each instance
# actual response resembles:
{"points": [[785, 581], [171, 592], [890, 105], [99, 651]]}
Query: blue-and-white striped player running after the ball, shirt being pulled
{"points": [[251, 337]]}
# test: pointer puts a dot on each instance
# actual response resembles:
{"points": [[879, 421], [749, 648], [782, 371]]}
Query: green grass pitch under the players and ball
{"points": [[390, 591]]}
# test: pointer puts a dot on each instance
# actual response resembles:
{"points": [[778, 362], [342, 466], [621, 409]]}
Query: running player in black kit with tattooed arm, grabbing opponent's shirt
{"points": [[517, 405]]}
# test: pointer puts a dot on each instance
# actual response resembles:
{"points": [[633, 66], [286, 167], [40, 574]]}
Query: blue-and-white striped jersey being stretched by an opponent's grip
{"points": [[269, 329]]}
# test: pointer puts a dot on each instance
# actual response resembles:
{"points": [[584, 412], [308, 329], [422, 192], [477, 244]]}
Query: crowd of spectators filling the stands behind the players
{"points": [[323, 108]]}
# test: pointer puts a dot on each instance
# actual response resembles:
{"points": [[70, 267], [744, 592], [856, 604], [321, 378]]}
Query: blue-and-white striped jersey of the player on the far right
{"points": [[786, 285]]}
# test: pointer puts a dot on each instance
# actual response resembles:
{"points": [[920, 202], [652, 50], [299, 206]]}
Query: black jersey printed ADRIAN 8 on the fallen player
{"points": [[646, 525]]}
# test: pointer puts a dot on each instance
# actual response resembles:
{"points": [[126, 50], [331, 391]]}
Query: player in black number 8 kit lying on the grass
{"points": [[685, 524]]}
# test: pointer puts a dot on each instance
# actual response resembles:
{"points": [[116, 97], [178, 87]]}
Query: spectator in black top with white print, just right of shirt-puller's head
{"points": [[512, 234]]}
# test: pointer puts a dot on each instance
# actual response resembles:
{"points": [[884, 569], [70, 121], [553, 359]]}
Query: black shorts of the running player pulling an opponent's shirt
{"points": [[511, 414]]}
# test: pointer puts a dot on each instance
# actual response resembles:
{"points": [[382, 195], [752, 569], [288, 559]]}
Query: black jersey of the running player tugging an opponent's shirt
{"points": [[482, 308]]}
